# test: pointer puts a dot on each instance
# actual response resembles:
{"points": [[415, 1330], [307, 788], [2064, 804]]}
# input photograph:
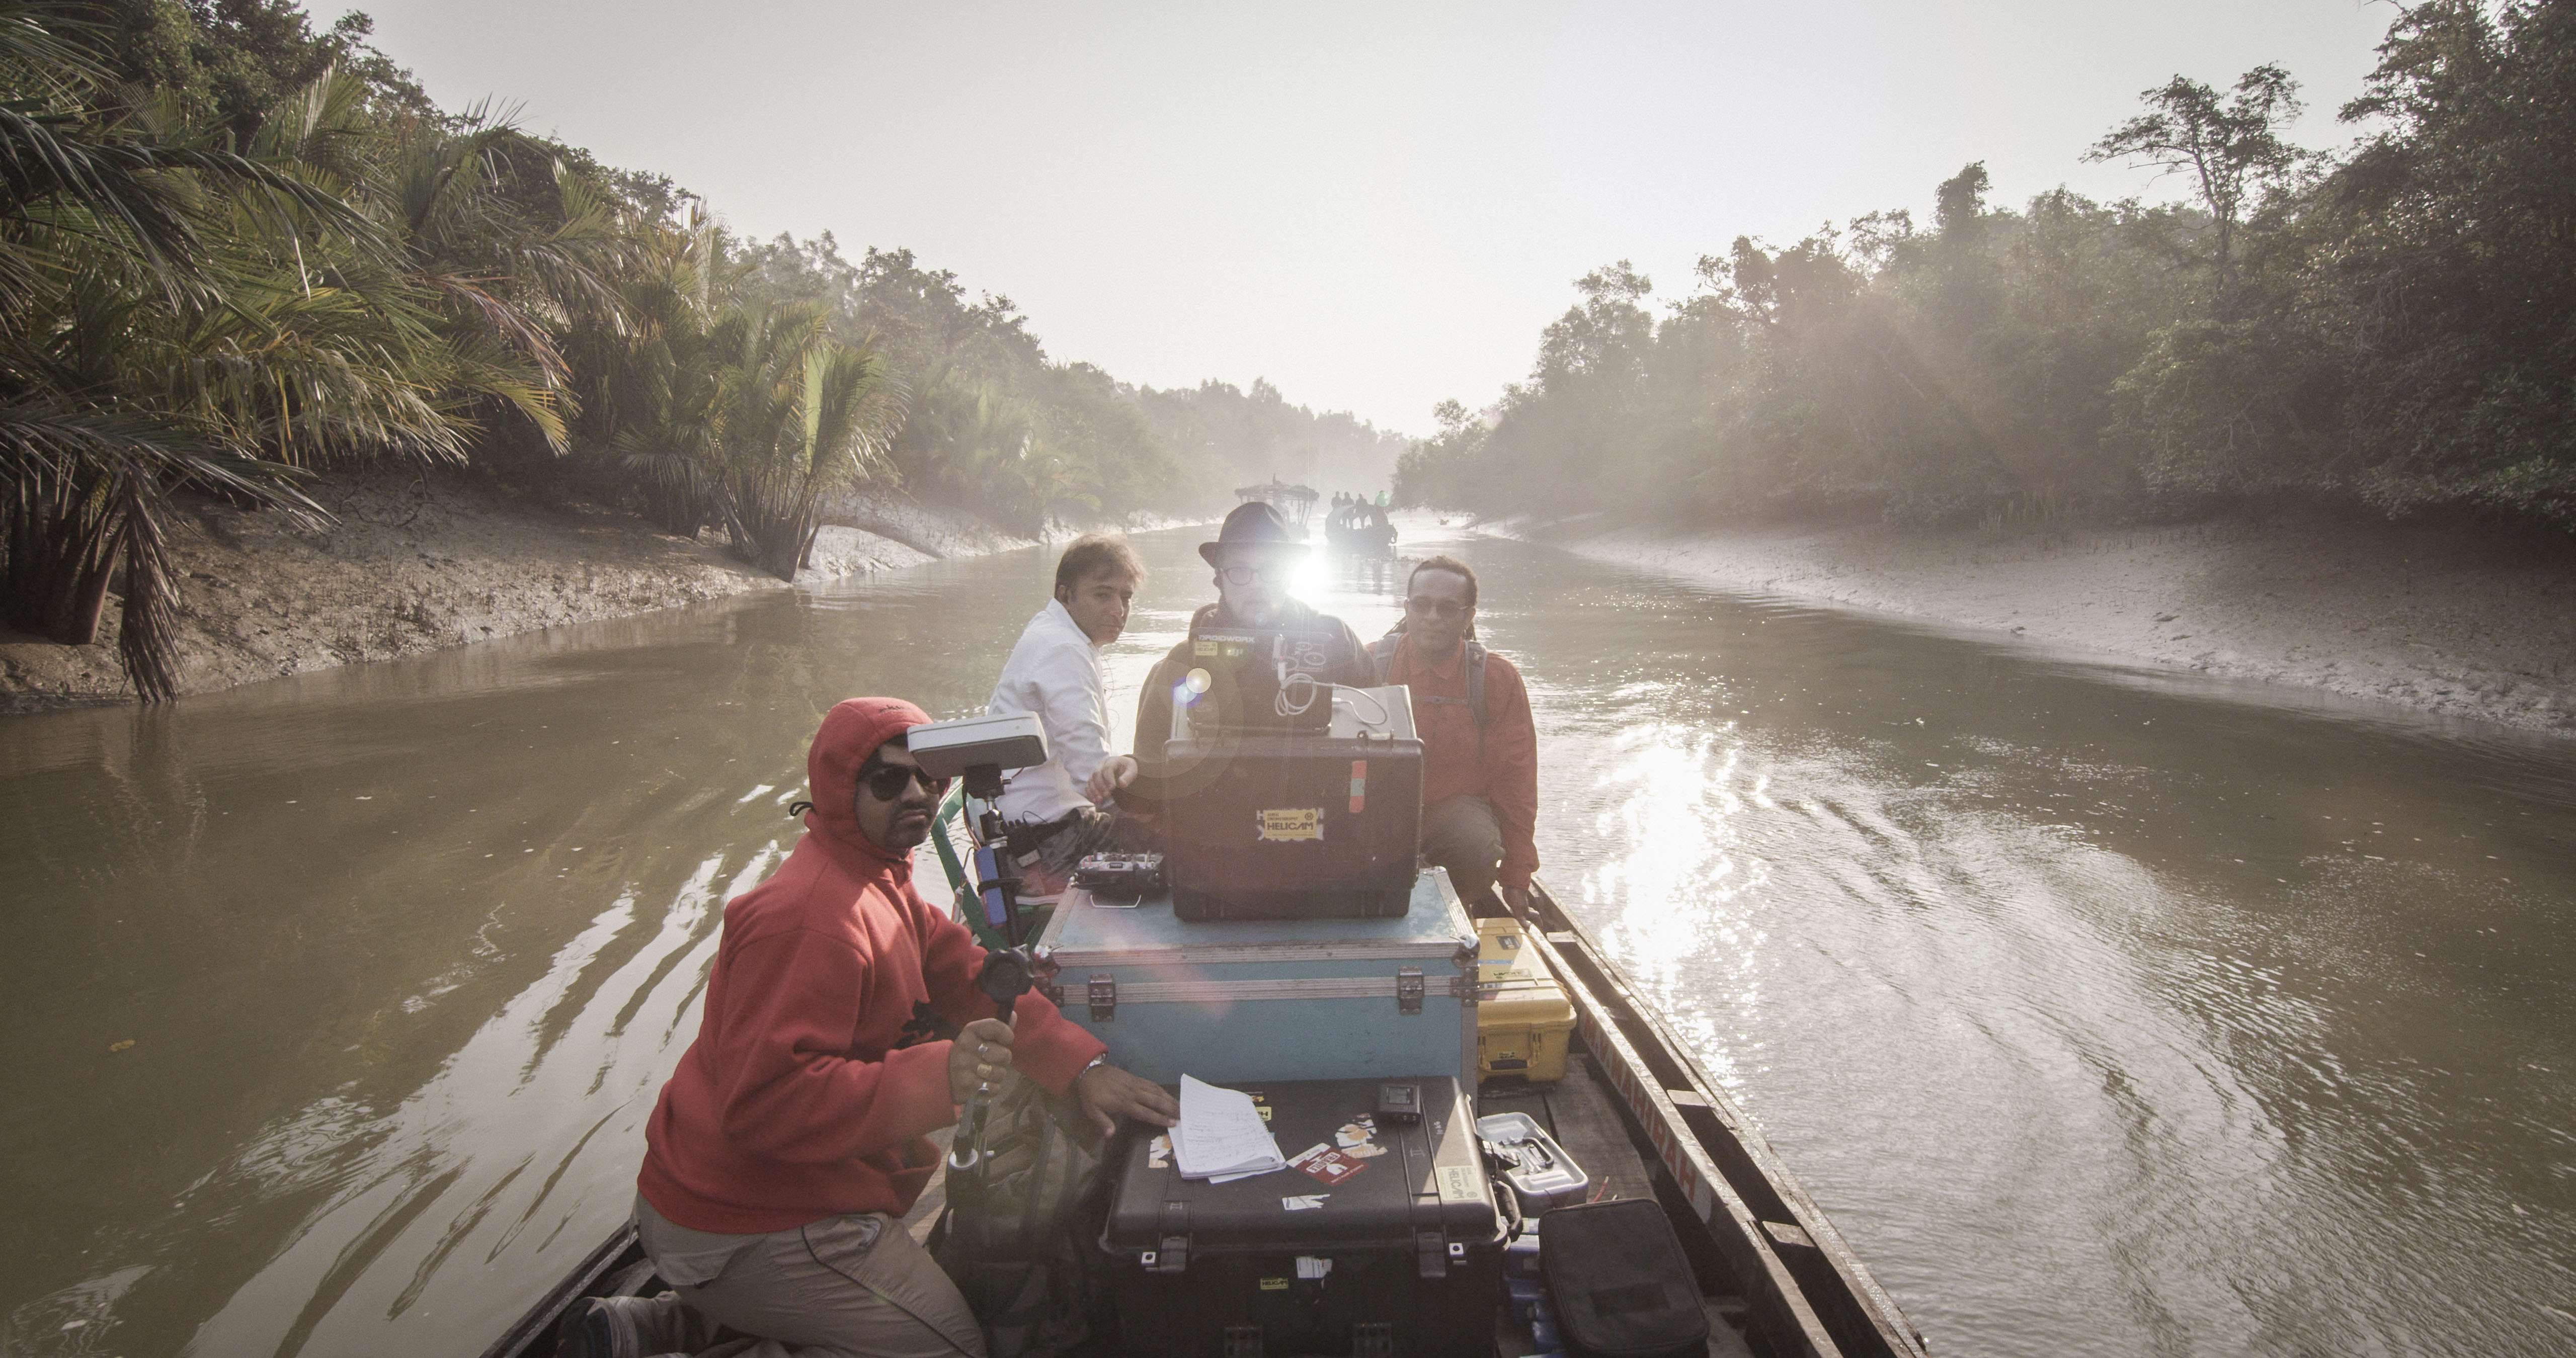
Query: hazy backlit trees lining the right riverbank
{"points": [[2387, 329]]}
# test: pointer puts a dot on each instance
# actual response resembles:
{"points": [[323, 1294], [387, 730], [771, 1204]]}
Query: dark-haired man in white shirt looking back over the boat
{"points": [[1055, 676]]}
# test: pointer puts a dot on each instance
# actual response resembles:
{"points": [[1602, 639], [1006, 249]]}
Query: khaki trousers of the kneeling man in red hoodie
{"points": [[844, 1287]]}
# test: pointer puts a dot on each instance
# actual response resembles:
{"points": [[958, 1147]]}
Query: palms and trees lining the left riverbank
{"points": [[238, 251]]}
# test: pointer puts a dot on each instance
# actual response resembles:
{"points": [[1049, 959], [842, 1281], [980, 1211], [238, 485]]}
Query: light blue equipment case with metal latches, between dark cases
{"points": [[1233, 1001]]}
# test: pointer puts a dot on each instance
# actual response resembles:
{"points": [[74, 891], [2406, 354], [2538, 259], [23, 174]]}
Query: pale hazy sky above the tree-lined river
{"points": [[1369, 205]]}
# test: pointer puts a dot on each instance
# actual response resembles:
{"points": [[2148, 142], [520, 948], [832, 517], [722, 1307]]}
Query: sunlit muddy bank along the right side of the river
{"points": [[2433, 617]]}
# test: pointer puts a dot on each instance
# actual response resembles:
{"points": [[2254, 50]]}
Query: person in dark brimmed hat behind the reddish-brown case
{"points": [[1256, 558]]}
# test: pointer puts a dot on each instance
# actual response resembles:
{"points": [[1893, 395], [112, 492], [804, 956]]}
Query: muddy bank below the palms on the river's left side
{"points": [[426, 563]]}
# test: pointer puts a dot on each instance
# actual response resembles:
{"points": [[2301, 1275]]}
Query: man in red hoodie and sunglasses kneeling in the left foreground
{"points": [[795, 1133]]}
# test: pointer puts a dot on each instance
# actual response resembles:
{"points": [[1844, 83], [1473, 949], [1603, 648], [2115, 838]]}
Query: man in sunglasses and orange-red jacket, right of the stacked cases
{"points": [[1480, 746]]}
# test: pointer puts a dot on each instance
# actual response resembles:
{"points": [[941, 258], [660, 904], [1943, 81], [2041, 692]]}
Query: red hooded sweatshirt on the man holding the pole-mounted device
{"points": [[818, 1073]]}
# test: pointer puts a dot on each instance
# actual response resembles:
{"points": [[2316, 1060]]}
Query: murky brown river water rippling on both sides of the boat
{"points": [[2108, 1014]]}
